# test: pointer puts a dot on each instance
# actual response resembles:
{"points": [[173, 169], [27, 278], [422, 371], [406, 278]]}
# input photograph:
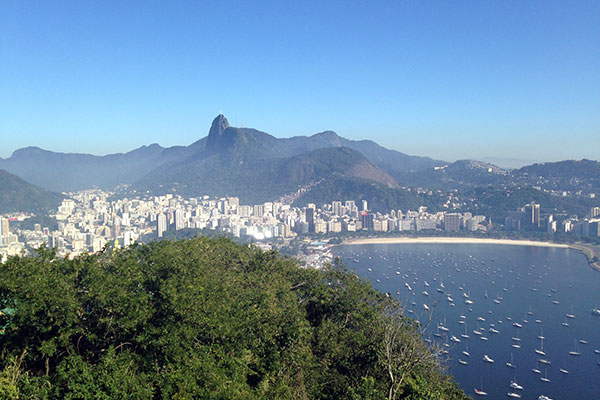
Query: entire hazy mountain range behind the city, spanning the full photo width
{"points": [[257, 167]]}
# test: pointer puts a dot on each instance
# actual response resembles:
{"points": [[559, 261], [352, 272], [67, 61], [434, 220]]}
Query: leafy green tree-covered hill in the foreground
{"points": [[204, 319]]}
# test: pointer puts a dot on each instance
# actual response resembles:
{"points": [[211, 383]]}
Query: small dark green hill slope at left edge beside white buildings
{"points": [[16, 195]]}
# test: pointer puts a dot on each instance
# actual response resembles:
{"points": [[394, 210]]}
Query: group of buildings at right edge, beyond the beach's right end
{"points": [[530, 218]]}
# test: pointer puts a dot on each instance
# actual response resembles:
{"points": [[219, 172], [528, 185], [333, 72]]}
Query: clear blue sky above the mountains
{"points": [[446, 79]]}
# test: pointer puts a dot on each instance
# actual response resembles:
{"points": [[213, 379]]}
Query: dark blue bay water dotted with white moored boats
{"points": [[495, 287]]}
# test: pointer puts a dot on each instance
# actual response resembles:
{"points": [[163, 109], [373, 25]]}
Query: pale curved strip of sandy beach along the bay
{"points": [[455, 240]]}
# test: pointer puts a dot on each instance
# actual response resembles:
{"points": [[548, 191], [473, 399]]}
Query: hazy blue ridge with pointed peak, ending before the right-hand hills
{"points": [[217, 163]]}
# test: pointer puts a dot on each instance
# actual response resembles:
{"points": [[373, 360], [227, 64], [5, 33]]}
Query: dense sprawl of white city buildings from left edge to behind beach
{"points": [[90, 220]]}
